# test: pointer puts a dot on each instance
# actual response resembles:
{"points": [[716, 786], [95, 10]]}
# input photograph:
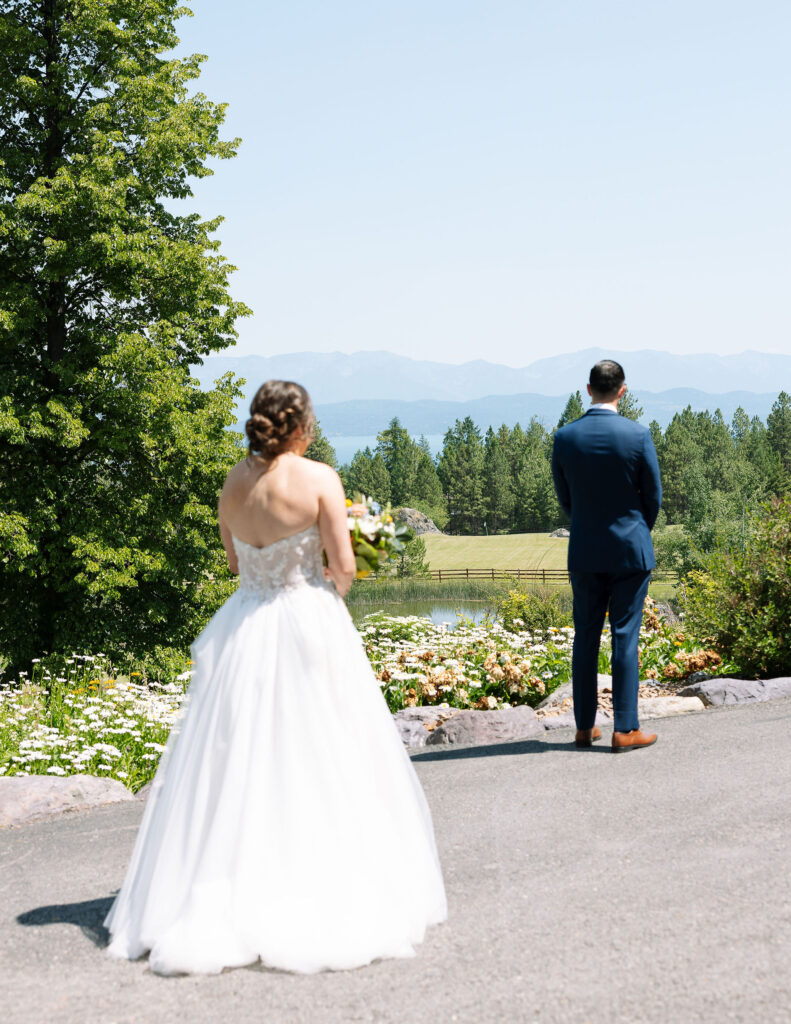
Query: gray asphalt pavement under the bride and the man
{"points": [[653, 887]]}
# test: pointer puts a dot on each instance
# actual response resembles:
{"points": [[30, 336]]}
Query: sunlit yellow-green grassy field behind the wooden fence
{"points": [[510, 551]]}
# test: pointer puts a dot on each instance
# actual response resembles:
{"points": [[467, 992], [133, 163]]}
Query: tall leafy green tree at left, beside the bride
{"points": [[111, 457]]}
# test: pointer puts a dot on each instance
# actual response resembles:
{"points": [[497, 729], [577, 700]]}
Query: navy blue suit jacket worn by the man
{"points": [[607, 479]]}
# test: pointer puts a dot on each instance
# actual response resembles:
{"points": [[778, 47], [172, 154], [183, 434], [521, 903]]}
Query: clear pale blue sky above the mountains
{"points": [[504, 180]]}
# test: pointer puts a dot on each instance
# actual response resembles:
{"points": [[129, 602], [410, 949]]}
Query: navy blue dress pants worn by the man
{"points": [[623, 594]]}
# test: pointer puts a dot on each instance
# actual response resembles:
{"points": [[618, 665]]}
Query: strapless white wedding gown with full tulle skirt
{"points": [[286, 823]]}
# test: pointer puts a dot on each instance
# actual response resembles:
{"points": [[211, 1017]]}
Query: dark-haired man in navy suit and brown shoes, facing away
{"points": [[607, 478]]}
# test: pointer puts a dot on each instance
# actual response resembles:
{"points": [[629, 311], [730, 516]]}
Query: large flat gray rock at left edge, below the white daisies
{"points": [[26, 799]]}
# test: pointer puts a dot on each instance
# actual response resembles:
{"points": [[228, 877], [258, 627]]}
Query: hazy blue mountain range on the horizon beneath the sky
{"points": [[358, 395]]}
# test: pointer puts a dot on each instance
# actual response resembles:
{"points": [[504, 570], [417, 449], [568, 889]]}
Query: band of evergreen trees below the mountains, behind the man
{"points": [[715, 476]]}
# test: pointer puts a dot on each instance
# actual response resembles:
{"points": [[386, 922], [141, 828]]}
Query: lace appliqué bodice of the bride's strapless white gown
{"points": [[295, 562]]}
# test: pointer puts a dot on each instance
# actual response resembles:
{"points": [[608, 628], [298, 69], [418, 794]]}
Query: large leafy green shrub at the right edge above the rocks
{"points": [[741, 603]]}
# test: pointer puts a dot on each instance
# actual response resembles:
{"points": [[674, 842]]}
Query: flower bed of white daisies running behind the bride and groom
{"points": [[75, 716]]}
